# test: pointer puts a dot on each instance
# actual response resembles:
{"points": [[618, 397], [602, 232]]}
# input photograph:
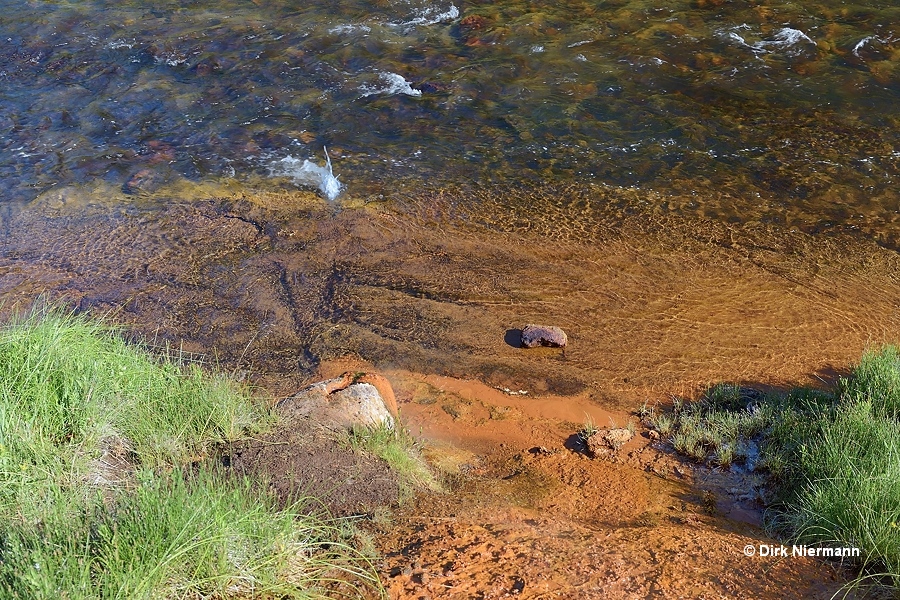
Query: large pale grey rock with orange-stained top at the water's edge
{"points": [[339, 404]]}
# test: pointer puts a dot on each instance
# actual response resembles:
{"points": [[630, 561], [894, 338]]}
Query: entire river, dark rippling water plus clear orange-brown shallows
{"points": [[452, 113]]}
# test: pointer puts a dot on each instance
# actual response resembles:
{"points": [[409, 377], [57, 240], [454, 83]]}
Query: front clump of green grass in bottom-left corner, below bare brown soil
{"points": [[173, 537]]}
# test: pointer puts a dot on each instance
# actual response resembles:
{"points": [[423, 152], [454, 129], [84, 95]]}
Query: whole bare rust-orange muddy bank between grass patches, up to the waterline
{"points": [[528, 515]]}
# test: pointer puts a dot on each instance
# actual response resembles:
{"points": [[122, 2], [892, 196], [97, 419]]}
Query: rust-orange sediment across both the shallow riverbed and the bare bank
{"points": [[432, 296]]}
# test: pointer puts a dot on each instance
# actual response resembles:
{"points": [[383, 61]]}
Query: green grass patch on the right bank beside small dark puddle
{"points": [[833, 458]]}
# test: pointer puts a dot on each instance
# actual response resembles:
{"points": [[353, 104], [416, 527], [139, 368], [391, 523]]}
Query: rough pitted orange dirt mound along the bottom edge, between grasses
{"points": [[486, 553]]}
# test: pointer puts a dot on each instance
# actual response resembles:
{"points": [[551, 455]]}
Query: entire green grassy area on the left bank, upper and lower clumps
{"points": [[70, 387]]}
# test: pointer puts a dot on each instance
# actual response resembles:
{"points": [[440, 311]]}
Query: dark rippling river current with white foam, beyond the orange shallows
{"points": [[764, 110]]}
